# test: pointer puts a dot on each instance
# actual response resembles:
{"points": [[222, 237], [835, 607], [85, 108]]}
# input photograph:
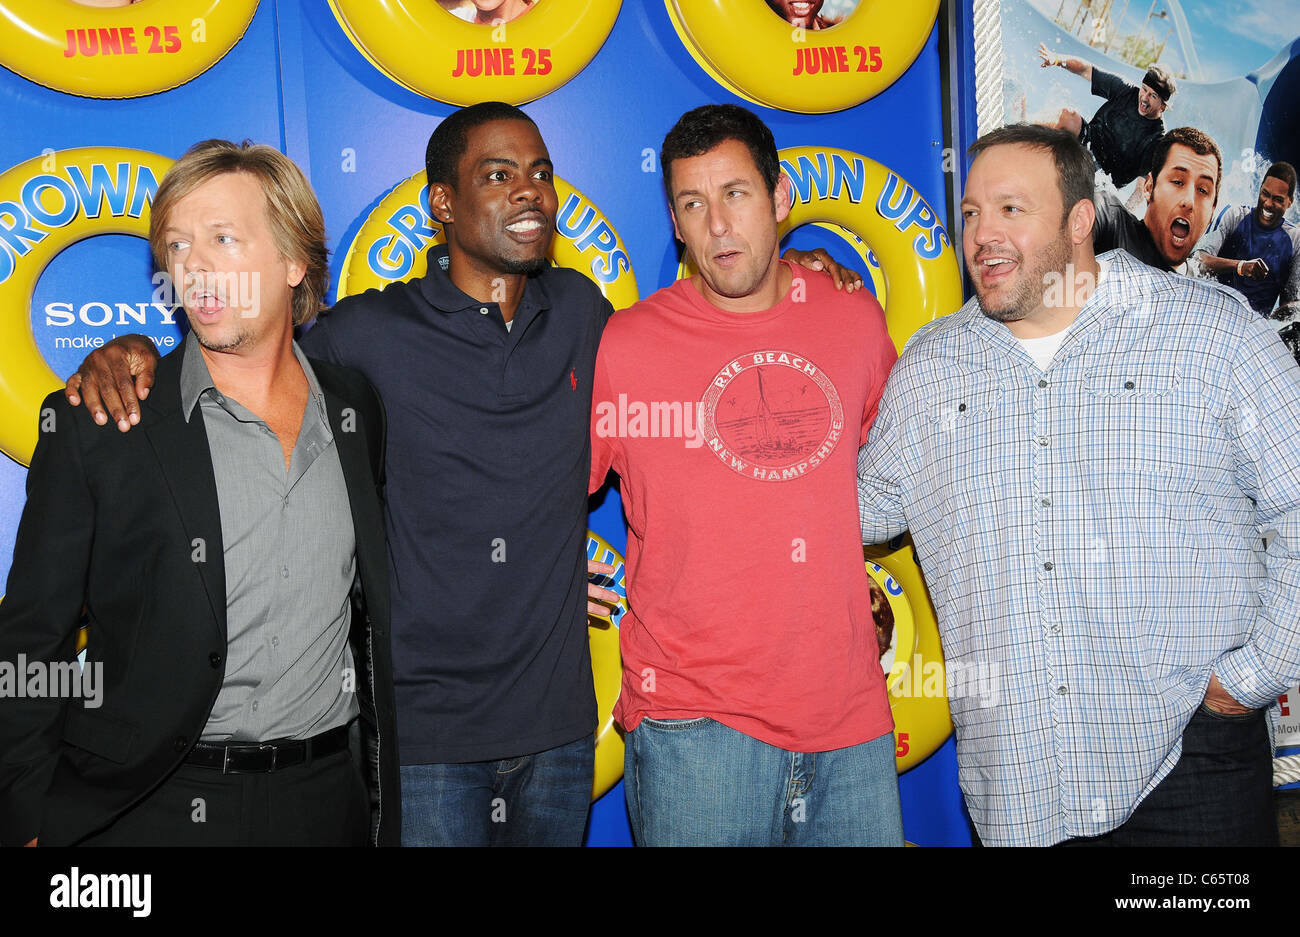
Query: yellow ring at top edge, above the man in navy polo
{"points": [[435, 54]]}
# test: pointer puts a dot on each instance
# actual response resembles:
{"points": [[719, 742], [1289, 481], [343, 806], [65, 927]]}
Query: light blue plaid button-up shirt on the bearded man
{"points": [[1091, 536]]}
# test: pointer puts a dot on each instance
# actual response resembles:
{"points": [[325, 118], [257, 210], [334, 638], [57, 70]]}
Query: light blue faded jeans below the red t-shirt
{"points": [[699, 783]]}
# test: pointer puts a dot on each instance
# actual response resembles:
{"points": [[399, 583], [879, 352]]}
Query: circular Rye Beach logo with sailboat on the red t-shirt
{"points": [[772, 415]]}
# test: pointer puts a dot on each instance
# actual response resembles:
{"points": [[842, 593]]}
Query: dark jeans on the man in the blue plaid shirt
{"points": [[1219, 795]]}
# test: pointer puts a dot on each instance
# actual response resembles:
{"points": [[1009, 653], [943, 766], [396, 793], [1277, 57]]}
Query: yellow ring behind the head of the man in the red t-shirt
{"points": [[846, 190]]}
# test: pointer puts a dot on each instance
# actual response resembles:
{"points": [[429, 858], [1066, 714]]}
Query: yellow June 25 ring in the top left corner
{"points": [[119, 53]]}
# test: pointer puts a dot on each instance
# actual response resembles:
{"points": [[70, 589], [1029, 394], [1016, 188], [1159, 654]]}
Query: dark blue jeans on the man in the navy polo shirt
{"points": [[538, 800]]}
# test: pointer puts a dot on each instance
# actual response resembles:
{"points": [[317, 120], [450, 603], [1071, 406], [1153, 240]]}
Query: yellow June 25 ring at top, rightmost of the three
{"points": [[753, 53]]}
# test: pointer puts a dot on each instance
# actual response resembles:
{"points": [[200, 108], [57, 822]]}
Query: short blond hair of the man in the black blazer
{"points": [[293, 214]]}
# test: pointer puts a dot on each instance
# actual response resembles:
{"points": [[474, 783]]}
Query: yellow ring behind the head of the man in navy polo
{"points": [[392, 244]]}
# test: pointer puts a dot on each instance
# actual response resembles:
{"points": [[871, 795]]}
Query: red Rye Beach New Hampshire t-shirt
{"points": [[736, 437]]}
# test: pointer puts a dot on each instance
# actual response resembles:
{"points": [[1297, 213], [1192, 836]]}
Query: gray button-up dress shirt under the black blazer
{"points": [[291, 562]]}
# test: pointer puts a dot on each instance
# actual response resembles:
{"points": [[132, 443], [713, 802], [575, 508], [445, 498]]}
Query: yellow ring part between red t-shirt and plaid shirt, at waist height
{"points": [[915, 666]]}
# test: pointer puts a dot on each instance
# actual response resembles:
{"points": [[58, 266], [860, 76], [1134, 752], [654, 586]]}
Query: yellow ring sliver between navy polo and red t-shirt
{"points": [[608, 667]]}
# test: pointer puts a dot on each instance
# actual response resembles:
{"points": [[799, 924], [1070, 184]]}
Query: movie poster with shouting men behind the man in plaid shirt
{"points": [[1121, 73]]}
